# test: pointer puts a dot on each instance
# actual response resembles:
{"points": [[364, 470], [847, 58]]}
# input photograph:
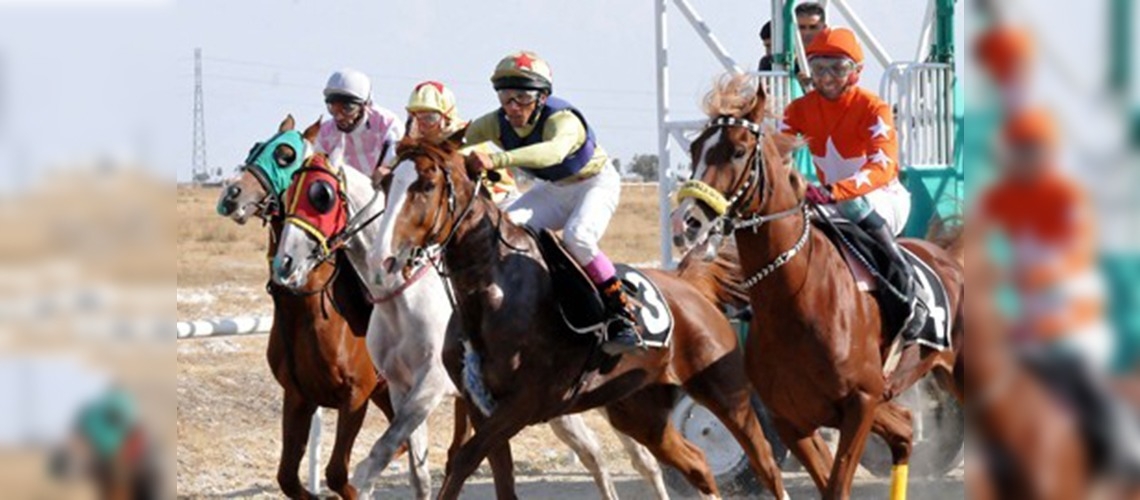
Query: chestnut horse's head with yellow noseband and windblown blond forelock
{"points": [[740, 166]]}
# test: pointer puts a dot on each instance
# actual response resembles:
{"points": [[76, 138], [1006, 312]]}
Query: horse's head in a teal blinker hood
{"points": [[266, 174]]}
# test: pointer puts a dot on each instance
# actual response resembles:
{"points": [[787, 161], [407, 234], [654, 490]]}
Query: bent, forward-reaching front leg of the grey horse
{"points": [[412, 409]]}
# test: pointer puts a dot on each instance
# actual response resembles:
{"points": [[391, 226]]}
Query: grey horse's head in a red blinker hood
{"points": [[316, 214]]}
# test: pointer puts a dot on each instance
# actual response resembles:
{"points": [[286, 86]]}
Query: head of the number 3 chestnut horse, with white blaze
{"points": [[429, 194]]}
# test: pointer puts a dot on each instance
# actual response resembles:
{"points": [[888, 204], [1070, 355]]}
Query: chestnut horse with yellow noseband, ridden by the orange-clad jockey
{"points": [[816, 353]]}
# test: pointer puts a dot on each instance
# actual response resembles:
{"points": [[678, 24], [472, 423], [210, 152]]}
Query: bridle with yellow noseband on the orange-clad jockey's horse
{"points": [[731, 216]]}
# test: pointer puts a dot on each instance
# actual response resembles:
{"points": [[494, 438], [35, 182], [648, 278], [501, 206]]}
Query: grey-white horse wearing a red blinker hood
{"points": [[406, 329]]}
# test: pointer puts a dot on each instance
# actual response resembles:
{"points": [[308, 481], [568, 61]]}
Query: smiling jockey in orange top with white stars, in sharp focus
{"points": [[856, 150]]}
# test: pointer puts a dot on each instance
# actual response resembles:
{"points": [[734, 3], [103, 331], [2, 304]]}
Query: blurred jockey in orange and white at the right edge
{"points": [[1061, 329]]}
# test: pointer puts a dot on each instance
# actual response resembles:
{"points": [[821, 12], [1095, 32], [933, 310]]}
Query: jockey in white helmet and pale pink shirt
{"points": [[367, 135]]}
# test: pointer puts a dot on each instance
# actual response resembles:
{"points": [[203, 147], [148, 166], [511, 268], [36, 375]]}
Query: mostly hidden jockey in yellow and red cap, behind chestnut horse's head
{"points": [[434, 116]]}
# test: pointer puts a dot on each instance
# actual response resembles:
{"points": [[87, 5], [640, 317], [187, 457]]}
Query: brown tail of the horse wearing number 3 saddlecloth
{"points": [[721, 280]]}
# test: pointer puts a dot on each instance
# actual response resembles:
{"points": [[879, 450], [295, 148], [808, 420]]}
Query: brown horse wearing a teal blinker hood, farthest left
{"points": [[316, 349]]}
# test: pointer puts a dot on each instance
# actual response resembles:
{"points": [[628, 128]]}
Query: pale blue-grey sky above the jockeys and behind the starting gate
{"points": [[86, 79]]}
